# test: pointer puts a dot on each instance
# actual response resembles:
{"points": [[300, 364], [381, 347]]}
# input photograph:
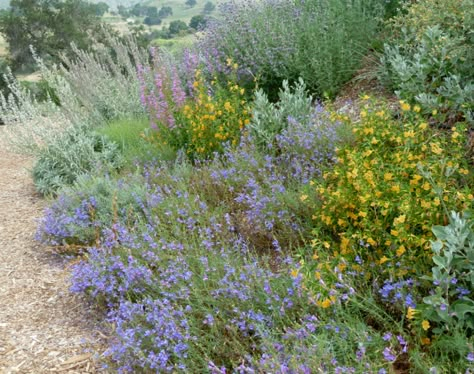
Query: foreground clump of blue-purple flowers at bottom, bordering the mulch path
{"points": [[172, 299]]}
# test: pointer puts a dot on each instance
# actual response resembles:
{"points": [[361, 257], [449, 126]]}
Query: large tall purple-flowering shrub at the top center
{"points": [[322, 42]]}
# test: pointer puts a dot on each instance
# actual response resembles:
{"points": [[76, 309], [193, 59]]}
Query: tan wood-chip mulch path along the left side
{"points": [[43, 327]]}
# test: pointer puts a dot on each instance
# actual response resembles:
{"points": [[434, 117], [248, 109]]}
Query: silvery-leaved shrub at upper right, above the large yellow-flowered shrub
{"points": [[428, 72]]}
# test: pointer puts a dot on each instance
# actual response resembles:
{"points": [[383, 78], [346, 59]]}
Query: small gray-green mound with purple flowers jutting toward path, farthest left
{"points": [[91, 205]]}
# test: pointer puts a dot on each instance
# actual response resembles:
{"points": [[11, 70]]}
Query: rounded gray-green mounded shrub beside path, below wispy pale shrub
{"points": [[77, 151]]}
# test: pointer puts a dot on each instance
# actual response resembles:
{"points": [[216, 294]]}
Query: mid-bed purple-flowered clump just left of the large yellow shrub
{"points": [[259, 183]]}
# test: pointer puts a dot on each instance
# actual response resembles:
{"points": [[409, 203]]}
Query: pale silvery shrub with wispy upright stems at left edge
{"points": [[92, 88]]}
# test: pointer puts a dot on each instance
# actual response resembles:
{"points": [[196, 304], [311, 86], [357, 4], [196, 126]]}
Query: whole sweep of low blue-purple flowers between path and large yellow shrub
{"points": [[175, 262]]}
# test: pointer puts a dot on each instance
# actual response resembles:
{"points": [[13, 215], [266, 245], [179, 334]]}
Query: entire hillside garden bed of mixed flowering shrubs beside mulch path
{"points": [[226, 214]]}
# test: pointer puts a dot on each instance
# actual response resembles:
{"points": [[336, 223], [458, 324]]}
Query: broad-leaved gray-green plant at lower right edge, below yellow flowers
{"points": [[452, 305]]}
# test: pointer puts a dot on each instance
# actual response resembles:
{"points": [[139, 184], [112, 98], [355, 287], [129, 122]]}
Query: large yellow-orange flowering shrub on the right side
{"points": [[384, 194]]}
